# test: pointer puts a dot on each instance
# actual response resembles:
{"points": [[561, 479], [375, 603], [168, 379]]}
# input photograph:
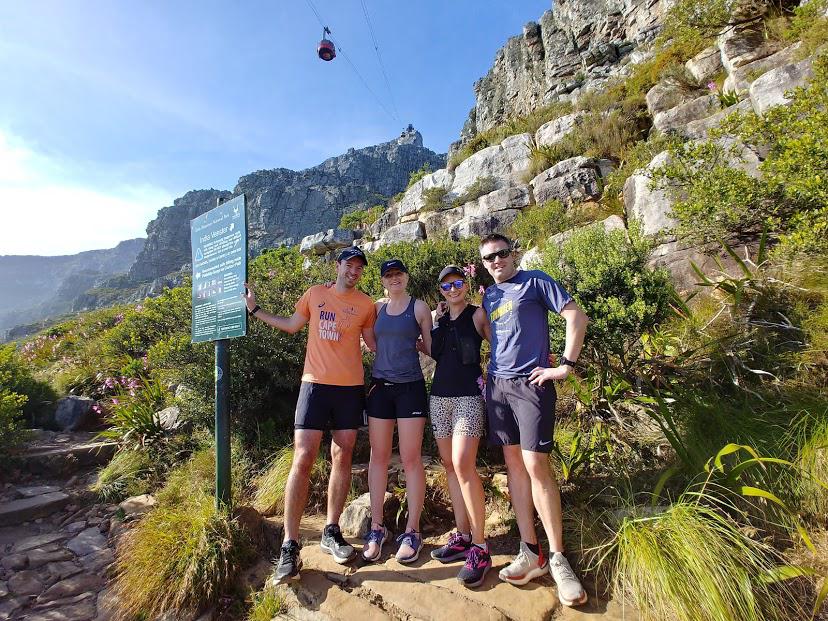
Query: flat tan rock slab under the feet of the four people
{"points": [[424, 590]]}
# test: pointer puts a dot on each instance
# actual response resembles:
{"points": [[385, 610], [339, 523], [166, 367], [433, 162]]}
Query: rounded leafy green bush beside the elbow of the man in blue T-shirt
{"points": [[607, 273]]}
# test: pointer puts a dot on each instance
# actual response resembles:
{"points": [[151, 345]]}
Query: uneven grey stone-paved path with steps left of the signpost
{"points": [[55, 550]]}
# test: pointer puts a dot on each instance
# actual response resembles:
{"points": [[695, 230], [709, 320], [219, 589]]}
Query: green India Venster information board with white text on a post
{"points": [[219, 243]]}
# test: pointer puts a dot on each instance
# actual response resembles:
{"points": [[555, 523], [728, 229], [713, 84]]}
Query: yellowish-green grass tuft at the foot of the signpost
{"points": [[179, 557]]}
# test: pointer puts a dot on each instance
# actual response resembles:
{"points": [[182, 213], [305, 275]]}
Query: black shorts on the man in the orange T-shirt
{"points": [[324, 406]]}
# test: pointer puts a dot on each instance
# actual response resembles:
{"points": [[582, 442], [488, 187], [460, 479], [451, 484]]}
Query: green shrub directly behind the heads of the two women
{"points": [[424, 262]]}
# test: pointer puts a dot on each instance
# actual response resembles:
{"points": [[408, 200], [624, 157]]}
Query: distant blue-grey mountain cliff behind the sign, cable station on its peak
{"points": [[289, 205]]}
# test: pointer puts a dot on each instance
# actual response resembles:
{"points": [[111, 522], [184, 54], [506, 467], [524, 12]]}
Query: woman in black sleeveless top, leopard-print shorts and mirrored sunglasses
{"points": [[458, 417]]}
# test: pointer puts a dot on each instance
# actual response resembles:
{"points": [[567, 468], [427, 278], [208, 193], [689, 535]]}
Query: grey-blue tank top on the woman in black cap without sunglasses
{"points": [[397, 359]]}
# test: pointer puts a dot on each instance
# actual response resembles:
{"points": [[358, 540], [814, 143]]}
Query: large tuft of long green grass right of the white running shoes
{"points": [[690, 562]]}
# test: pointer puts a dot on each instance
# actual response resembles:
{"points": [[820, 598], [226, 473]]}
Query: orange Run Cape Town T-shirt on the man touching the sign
{"points": [[336, 321]]}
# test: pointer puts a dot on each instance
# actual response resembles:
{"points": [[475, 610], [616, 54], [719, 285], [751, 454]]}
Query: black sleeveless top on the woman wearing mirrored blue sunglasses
{"points": [[455, 346]]}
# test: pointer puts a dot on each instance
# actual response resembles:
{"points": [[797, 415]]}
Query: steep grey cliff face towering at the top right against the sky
{"points": [[574, 46]]}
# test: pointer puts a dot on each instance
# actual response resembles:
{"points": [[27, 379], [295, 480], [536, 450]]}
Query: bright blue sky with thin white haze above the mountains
{"points": [[112, 109]]}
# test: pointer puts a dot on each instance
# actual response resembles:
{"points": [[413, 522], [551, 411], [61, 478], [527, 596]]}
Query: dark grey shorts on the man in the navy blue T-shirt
{"points": [[520, 413]]}
